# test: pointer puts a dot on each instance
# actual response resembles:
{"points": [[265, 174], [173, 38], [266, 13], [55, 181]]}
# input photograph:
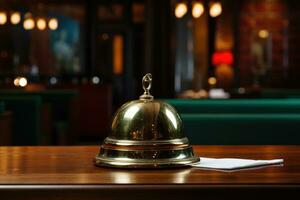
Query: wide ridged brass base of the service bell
{"points": [[170, 158]]}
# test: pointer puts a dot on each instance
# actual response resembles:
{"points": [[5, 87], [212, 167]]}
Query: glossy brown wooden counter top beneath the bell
{"points": [[69, 170]]}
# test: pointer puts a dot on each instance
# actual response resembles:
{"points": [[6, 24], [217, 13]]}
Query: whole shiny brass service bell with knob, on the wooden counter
{"points": [[146, 134]]}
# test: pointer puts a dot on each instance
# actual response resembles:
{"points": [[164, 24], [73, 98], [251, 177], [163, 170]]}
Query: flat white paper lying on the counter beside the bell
{"points": [[233, 163]]}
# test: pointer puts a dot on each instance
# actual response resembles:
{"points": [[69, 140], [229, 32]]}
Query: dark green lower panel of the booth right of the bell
{"points": [[240, 129]]}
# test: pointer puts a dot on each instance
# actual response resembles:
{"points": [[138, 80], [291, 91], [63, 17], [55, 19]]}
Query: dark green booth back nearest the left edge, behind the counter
{"points": [[26, 118]]}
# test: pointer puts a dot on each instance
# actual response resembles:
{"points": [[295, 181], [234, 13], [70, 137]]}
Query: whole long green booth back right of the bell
{"points": [[240, 121]]}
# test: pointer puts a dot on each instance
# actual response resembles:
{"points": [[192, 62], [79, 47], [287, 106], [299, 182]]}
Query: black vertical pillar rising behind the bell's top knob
{"points": [[158, 57]]}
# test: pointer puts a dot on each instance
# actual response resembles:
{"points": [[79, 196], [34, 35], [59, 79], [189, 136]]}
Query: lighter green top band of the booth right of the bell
{"points": [[236, 106]]}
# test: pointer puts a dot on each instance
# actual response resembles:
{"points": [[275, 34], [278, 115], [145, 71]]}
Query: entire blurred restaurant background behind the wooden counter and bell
{"points": [[67, 65]]}
